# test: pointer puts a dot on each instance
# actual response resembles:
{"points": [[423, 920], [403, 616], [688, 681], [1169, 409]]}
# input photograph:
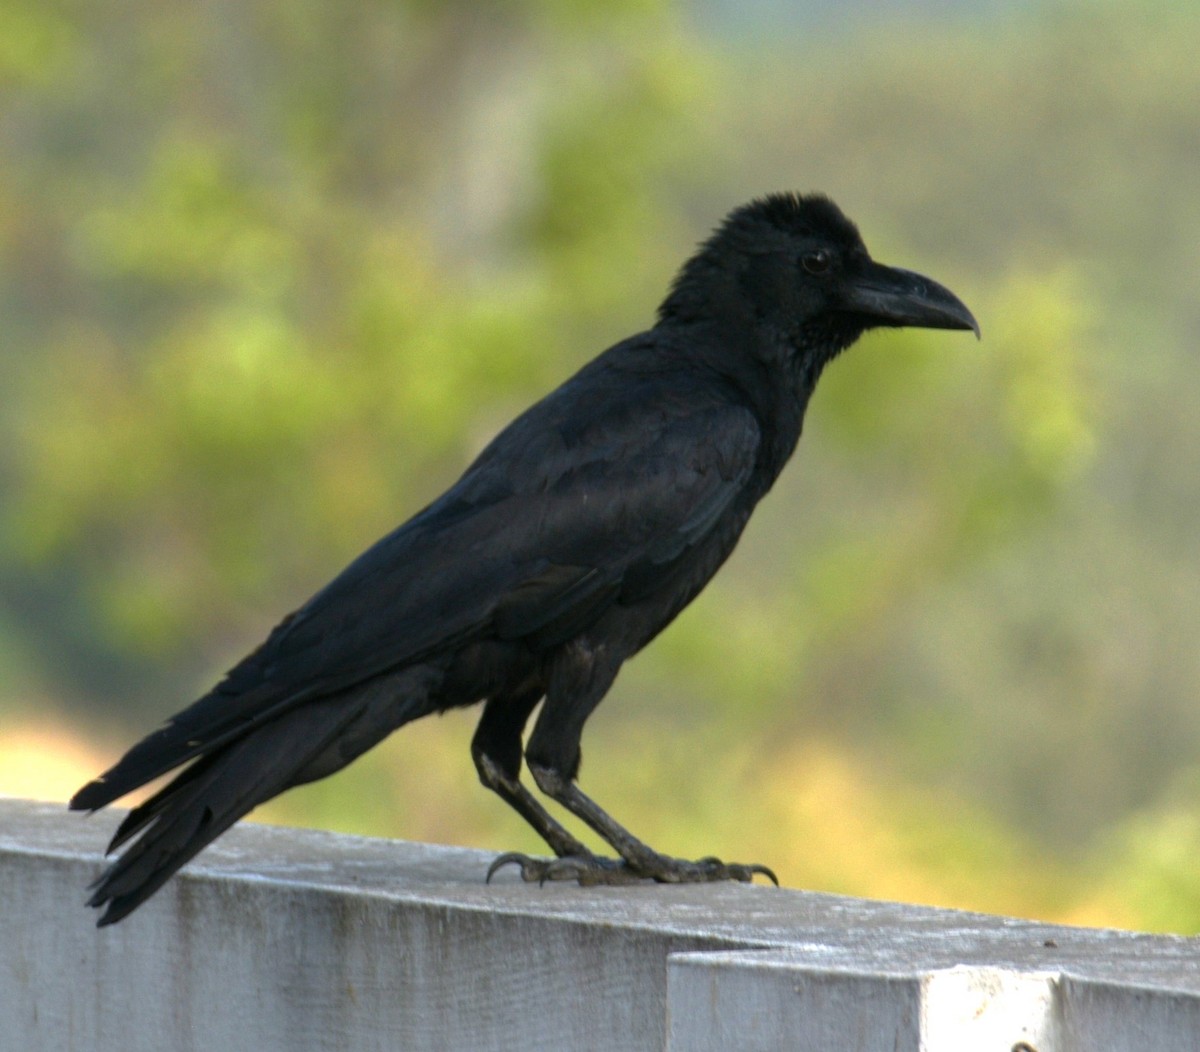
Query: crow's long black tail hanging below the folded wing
{"points": [[227, 783]]}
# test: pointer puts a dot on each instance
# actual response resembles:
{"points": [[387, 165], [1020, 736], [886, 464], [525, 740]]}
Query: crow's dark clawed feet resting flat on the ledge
{"points": [[591, 870]]}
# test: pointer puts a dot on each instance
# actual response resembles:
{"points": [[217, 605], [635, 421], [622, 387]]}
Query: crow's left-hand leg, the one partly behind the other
{"points": [[496, 750]]}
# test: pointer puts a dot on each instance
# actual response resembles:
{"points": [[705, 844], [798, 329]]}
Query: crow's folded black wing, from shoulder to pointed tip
{"points": [[593, 491]]}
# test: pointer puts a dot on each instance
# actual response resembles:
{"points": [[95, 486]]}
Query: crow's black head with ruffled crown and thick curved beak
{"points": [[796, 266]]}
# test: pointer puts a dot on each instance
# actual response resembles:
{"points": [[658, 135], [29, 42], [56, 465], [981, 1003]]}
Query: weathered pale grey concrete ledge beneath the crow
{"points": [[292, 940]]}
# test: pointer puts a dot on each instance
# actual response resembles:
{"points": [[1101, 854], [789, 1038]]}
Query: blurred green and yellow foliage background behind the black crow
{"points": [[273, 273]]}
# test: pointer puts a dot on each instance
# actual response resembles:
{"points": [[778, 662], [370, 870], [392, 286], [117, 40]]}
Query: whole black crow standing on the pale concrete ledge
{"points": [[573, 540]]}
